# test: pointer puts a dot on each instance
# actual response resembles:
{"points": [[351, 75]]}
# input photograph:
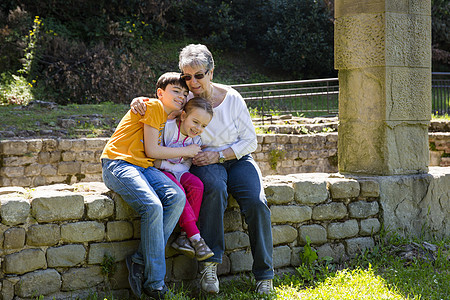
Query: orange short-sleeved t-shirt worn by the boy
{"points": [[127, 142]]}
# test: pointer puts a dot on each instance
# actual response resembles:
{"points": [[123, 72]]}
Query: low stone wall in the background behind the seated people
{"points": [[37, 162]]}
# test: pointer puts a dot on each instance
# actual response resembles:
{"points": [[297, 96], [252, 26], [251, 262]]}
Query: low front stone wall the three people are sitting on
{"points": [[54, 239]]}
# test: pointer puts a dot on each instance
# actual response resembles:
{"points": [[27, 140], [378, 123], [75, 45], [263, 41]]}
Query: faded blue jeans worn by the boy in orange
{"points": [[159, 202]]}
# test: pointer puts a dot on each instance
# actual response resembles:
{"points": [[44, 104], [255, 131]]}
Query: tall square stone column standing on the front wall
{"points": [[383, 54]]}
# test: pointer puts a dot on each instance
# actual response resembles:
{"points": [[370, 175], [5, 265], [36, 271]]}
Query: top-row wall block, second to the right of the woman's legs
{"points": [[310, 191]]}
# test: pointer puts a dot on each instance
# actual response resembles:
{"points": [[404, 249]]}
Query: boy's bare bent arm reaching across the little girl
{"points": [[153, 150]]}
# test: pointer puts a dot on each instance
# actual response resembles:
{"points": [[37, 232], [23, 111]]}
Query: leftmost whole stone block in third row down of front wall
{"points": [[24, 261]]}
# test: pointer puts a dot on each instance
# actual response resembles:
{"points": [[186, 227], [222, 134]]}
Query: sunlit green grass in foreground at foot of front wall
{"points": [[379, 273]]}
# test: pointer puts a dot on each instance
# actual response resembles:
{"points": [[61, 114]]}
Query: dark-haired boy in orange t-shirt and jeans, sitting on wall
{"points": [[128, 169]]}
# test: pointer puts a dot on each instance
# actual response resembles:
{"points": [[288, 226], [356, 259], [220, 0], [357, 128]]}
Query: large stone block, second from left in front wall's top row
{"points": [[49, 206]]}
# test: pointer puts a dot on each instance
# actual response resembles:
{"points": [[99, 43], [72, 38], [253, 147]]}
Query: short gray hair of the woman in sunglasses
{"points": [[195, 55]]}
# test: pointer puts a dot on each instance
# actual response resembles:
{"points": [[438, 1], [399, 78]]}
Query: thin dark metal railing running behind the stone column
{"points": [[319, 97]]}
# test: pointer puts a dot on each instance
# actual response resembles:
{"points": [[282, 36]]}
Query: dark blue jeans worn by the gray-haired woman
{"points": [[242, 179]]}
